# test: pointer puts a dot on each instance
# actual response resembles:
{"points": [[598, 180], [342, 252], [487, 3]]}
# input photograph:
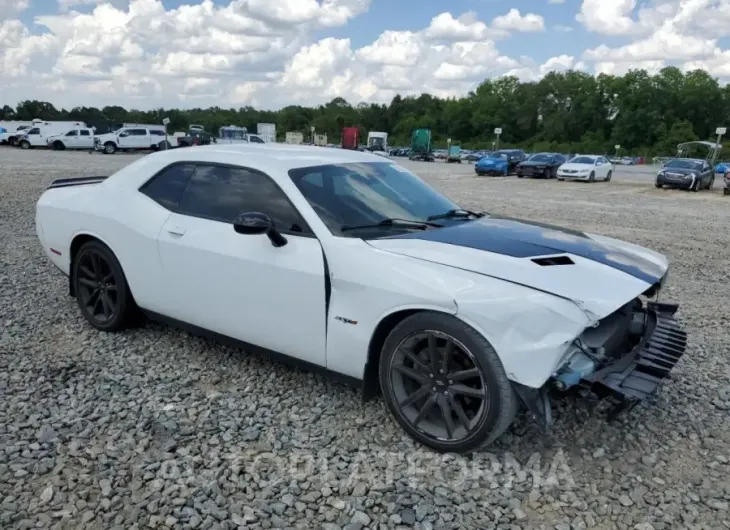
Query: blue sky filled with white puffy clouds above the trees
{"points": [[271, 53]]}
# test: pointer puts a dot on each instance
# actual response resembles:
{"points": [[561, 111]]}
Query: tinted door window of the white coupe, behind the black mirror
{"points": [[222, 193]]}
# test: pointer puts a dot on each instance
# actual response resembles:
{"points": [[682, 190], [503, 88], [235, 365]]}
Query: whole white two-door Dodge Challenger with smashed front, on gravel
{"points": [[348, 262]]}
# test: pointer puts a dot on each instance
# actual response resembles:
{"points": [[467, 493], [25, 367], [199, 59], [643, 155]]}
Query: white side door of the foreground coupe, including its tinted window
{"points": [[243, 286]]}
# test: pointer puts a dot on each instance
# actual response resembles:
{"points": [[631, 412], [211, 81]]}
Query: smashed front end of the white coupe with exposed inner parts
{"points": [[624, 357]]}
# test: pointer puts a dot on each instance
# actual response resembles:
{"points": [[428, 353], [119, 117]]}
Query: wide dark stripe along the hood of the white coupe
{"points": [[525, 239]]}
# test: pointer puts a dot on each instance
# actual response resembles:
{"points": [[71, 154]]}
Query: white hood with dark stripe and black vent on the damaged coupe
{"points": [[603, 273]]}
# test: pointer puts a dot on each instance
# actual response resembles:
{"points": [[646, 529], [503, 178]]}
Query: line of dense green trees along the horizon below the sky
{"points": [[571, 111]]}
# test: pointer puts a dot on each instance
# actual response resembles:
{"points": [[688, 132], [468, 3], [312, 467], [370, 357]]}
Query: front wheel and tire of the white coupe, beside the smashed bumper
{"points": [[444, 383]]}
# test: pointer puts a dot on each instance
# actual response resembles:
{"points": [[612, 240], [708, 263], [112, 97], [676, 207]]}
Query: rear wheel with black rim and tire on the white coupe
{"points": [[101, 288]]}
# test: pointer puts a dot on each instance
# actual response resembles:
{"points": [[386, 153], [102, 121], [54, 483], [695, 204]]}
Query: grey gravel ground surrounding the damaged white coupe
{"points": [[153, 428]]}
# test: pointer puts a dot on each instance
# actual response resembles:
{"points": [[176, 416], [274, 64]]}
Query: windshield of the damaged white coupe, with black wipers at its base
{"points": [[367, 193]]}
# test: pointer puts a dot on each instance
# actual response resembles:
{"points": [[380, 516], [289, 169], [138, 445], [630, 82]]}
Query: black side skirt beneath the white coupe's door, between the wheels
{"points": [[252, 348]]}
